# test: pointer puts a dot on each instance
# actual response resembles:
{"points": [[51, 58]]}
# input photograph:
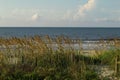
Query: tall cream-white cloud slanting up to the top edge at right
{"points": [[86, 7]]}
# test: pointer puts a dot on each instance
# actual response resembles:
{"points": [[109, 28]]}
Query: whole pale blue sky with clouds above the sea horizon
{"points": [[60, 13]]}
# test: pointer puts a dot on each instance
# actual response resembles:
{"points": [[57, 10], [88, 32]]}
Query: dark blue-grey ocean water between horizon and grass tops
{"points": [[72, 32]]}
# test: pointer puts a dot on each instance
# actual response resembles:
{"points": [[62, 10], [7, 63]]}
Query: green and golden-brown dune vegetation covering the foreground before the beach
{"points": [[35, 58]]}
